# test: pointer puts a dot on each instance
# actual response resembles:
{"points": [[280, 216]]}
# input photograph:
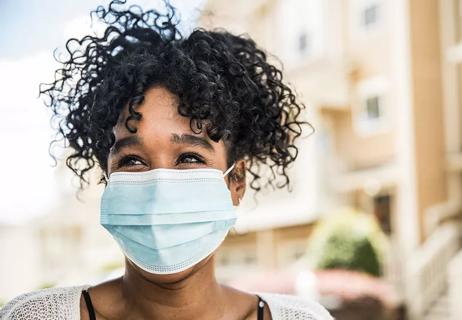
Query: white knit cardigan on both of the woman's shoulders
{"points": [[64, 304]]}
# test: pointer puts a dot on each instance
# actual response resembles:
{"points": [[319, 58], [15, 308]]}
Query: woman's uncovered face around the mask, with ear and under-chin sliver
{"points": [[164, 139]]}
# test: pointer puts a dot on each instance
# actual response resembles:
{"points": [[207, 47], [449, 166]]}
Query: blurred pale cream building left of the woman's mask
{"points": [[65, 245]]}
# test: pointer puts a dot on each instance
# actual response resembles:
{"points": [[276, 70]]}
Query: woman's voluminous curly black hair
{"points": [[224, 83]]}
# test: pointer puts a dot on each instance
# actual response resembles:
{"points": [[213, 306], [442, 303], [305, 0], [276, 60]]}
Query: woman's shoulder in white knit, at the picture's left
{"points": [[52, 303]]}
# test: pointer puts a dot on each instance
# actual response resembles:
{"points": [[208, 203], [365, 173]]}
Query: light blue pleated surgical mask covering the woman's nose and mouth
{"points": [[167, 220]]}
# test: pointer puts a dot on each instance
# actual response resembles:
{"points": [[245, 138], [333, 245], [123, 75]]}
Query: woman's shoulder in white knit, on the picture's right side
{"points": [[284, 307]]}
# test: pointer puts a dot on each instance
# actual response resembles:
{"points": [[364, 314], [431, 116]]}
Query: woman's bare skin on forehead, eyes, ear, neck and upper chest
{"points": [[195, 292]]}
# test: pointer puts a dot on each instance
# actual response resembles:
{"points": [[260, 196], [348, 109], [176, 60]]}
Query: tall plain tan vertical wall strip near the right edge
{"points": [[427, 106]]}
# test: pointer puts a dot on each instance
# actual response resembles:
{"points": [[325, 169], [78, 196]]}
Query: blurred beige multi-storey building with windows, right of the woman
{"points": [[381, 80]]}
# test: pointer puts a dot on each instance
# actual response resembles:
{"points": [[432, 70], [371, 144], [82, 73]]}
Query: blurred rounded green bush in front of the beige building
{"points": [[348, 240]]}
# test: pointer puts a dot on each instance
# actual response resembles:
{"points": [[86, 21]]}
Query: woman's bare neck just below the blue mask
{"points": [[192, 294]]}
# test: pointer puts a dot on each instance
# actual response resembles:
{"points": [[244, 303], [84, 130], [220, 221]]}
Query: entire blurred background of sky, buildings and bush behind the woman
{"points": [[372, 227]]}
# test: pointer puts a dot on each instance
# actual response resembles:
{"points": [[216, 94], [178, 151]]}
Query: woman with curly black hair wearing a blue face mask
{"points": [[174, 124]]}
